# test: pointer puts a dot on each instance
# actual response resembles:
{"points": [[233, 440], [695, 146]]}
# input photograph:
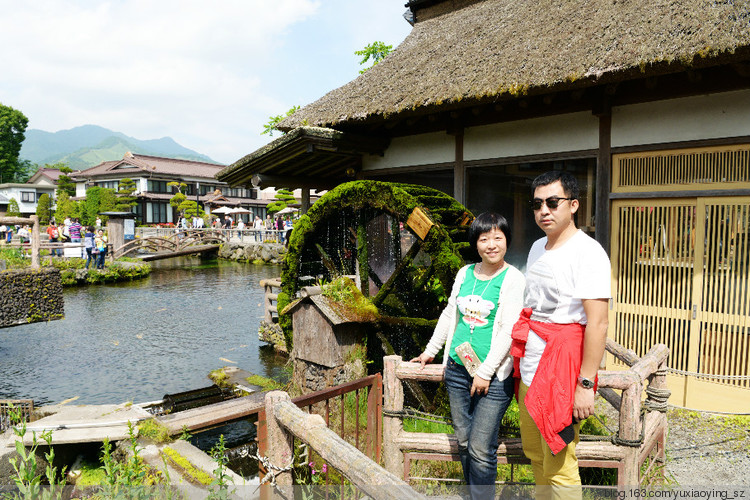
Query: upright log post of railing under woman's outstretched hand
{"points": [[393, 457]]}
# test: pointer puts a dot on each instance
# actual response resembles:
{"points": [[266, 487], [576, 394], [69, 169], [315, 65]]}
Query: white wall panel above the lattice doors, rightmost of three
{"points": [[690, 118]]}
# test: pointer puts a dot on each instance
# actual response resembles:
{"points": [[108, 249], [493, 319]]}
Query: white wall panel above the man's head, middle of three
{"points": [[550, 134]]}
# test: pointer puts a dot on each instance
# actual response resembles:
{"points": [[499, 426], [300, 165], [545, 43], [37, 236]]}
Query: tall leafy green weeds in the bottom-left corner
{"points": [[27, 479]]}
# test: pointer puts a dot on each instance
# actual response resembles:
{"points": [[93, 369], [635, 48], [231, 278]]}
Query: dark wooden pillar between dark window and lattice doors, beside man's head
{"points": [[604, 176]]}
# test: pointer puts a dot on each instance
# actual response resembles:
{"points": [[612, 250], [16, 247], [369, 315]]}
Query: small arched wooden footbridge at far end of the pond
{"points": [[180, 243]]}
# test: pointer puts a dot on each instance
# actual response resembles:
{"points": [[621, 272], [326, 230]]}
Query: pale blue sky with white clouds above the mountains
{"points": [[207, 74]]}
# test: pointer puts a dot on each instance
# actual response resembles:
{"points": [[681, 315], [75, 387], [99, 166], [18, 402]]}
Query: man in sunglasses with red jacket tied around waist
{"points": [[559, 340]]}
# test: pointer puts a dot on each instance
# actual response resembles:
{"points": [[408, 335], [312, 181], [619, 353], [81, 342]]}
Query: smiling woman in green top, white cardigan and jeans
{"points": [[483, 306]]}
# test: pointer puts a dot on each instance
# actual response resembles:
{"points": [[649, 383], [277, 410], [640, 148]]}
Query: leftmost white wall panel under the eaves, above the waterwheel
{"points": [[422, 149]]}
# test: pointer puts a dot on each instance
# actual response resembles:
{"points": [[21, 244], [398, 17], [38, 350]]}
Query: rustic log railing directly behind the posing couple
{"points": [[641, 435]]}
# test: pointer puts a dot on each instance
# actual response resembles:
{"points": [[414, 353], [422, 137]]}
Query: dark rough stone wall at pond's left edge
{"points": [[30, 295]]}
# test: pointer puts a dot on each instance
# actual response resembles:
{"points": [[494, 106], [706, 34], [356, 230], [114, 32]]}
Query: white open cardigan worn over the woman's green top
{"points": [[510, 303]]}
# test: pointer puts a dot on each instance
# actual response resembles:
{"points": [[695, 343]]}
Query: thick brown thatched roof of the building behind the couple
{"points": [[501, 49]]}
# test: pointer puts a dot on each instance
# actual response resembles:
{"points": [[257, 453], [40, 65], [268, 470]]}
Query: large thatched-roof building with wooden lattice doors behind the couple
{"points": [[646, 102]]}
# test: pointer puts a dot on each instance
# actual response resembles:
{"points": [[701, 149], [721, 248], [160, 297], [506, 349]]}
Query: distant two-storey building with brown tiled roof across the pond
{"points": [[152, 174]]}
